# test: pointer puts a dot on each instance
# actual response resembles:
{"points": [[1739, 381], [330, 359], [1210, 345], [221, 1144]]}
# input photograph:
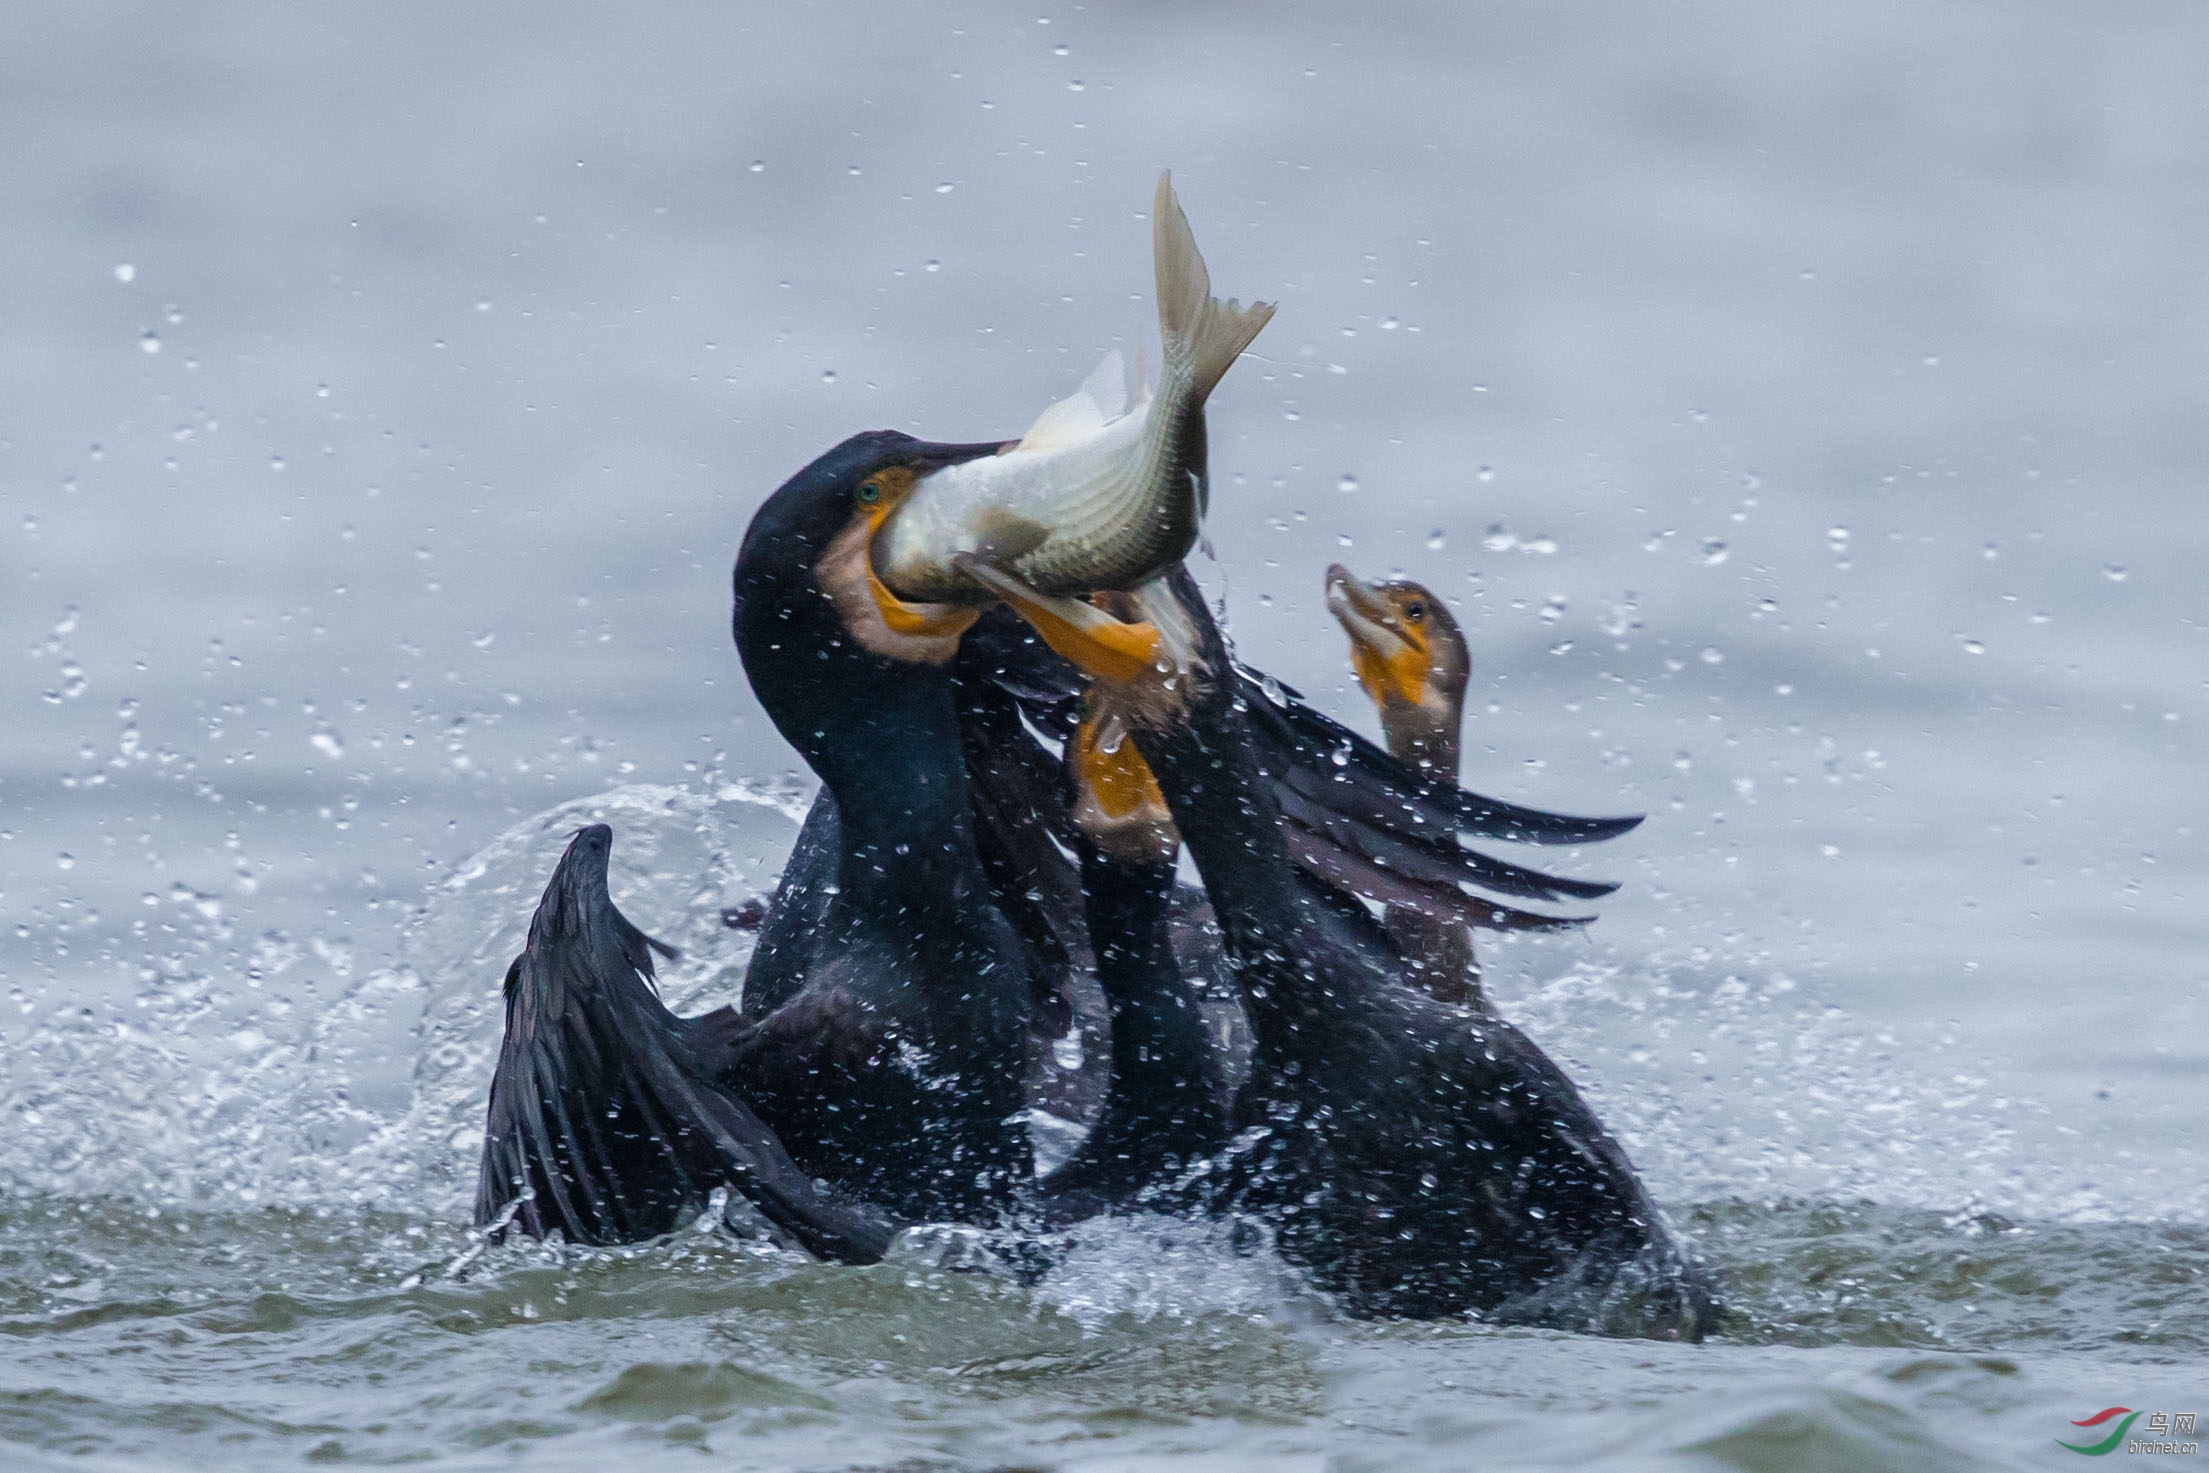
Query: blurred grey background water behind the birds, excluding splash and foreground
{"points": [[1804, 412]]}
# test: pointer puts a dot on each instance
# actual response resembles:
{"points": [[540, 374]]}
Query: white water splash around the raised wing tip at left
{"points": [[229, 1079]]}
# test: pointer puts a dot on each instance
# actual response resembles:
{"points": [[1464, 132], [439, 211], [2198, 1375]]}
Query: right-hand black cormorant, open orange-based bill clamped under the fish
{"points": [[1415, 1156]]}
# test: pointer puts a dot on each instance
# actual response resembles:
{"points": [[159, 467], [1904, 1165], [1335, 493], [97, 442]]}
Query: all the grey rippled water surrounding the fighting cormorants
{"points": [[1801, 412]]}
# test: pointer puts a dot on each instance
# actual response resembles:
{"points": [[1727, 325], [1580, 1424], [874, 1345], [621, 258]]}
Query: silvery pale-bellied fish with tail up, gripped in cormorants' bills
{"points": [[1097, 496]]}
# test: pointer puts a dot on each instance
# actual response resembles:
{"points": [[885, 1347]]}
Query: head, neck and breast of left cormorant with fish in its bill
{"points": [[894, 1066]]}
